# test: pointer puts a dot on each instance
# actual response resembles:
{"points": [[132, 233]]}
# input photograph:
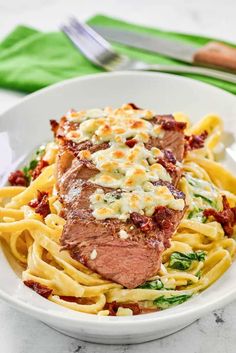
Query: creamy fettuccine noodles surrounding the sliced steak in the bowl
{"points": [[34, 241]]}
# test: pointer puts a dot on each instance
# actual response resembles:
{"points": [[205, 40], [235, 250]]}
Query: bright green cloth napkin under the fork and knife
{"points": [[30, 60]]}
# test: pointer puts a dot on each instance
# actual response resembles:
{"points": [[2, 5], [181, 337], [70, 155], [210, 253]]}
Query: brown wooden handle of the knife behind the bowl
{"points": [[217, 55]]}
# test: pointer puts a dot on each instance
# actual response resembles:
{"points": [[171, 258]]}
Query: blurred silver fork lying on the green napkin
{"points": [[101, 53]]}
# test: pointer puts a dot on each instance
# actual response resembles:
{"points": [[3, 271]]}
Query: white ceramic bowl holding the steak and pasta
{"points": [[26, 125]]}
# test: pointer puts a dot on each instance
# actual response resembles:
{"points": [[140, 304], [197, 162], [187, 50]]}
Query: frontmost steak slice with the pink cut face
{"points": [[97, 245]]}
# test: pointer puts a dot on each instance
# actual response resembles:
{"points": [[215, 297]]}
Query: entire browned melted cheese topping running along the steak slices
{"points": [[131, 170]]}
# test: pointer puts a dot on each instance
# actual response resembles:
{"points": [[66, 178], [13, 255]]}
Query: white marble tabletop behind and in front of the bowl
{"points": [[214, 332]]}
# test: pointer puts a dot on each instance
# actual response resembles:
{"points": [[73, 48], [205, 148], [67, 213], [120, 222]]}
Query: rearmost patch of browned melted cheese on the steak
{"points": [[116, 125]]}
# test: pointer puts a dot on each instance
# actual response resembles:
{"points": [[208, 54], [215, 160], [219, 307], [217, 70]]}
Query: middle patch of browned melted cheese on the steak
{"points": [[127, 168]]}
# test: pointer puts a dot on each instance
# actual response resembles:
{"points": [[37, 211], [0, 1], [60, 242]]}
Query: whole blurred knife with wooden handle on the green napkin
{"points": [[213, 54]]}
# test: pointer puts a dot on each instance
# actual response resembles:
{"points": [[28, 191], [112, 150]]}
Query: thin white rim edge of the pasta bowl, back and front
{"points": [[192, 311]]}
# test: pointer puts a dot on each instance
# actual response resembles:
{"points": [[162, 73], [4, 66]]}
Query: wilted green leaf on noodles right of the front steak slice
{"points": [[183, 262]]}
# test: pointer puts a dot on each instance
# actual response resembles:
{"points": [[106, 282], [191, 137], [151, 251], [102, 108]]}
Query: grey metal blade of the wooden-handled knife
{"points": [[173, 49]]}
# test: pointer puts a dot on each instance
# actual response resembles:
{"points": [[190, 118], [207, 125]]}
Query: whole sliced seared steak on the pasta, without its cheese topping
{"points": [[127, 252]]}
